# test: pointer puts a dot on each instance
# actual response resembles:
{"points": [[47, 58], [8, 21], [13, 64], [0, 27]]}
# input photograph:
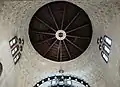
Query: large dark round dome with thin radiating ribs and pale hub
{"points": [[60, 31]]}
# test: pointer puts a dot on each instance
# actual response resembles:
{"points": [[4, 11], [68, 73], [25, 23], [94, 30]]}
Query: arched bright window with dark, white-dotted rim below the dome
{"points": [[62, 82]]}
